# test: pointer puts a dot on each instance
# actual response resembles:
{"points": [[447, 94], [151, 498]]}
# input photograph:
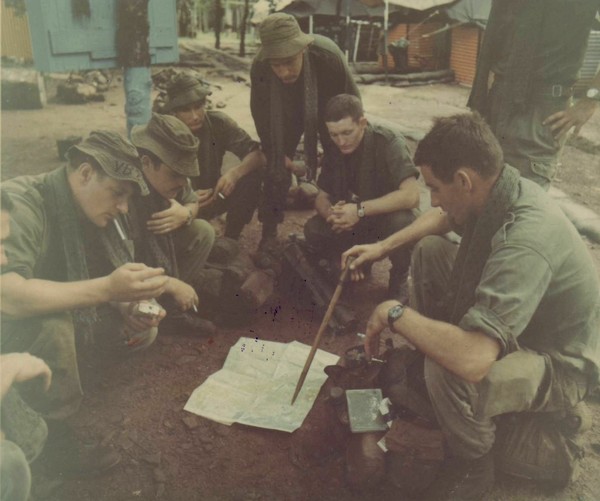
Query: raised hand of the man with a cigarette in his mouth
{"points": [[135, 282]]}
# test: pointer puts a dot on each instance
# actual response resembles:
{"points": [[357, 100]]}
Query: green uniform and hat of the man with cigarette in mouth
{"points": [[50, 241]]}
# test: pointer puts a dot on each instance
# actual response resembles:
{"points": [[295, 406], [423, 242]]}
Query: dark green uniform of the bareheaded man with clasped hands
{"points": [[377, 167]]}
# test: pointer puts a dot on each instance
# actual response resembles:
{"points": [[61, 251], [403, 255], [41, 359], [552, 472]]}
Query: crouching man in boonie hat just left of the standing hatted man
{"points": [[236, 191]]}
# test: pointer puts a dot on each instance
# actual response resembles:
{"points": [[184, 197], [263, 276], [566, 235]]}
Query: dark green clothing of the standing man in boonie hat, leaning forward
{"points": [[282, 113]]}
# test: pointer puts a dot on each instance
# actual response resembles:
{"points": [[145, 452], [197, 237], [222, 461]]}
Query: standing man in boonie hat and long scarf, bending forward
{"points": [[293, 76]]}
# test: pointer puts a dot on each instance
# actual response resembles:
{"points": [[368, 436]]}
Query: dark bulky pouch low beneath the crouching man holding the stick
{"points": [[537, 446]]}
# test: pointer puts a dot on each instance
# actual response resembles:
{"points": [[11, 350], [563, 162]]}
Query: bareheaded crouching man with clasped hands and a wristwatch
{"points": [[368, 187]]}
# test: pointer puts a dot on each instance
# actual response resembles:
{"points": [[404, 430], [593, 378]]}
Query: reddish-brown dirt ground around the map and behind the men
{"points": [[136, 403]]}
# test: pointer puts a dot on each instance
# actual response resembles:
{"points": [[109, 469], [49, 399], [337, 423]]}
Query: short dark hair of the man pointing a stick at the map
{"points": [[463, 140]]}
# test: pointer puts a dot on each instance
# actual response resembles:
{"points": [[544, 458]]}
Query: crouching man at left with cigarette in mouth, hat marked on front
{"points": [[68, 273]]}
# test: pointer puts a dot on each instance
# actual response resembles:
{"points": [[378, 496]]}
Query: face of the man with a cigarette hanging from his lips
{"points": [[103, 198]]}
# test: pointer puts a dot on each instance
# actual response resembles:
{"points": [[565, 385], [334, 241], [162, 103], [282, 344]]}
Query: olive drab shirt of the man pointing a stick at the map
{"points": [[539, 288]]}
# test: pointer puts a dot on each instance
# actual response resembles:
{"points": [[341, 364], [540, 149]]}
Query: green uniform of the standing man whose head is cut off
{"points": [[534, 50]]}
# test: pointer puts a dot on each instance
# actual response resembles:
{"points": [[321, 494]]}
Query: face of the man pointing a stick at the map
{"points": [[450, 197]]}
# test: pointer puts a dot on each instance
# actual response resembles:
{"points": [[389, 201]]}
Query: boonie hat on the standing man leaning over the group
{"points": [[281, 37]]}
